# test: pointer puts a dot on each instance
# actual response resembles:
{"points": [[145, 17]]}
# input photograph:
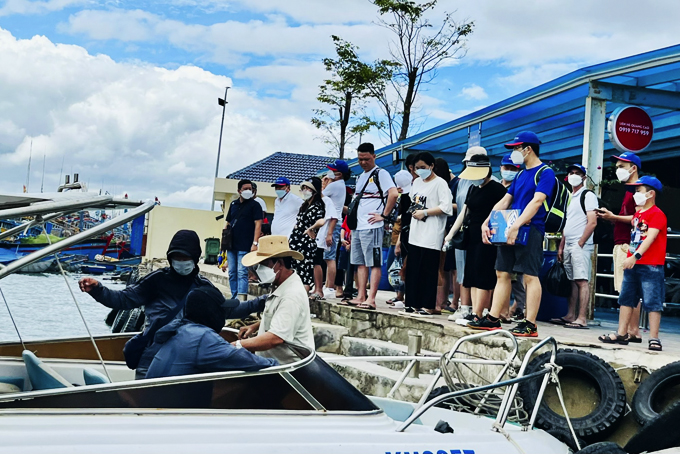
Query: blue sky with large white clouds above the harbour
{"points": [[125, 92]]}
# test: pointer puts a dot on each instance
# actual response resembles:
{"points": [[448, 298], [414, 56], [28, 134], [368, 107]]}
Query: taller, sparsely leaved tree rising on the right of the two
{"points": [[417, 52]]}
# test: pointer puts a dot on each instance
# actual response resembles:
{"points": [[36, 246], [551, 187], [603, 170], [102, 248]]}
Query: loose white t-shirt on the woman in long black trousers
{"points": [[429, 232]]}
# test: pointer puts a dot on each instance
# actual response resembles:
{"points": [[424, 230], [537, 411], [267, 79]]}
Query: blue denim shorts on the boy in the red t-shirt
{"points": [[646, 282]]}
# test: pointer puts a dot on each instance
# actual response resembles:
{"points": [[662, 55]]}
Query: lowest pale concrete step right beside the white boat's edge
{"points": [[374, 380]]}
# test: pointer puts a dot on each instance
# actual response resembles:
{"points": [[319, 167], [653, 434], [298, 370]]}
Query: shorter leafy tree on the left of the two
{"points": [[345, 94]]}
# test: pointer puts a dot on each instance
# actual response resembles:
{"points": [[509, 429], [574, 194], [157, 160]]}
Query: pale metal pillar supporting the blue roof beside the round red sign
{"points": [[593, 159]]}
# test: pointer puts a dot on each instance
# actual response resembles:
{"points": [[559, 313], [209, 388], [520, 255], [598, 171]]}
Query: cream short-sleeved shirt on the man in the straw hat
{"points": [[286, 314]]}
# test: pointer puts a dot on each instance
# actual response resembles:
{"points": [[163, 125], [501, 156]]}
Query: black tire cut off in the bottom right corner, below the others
{"points": [[658, 434]]}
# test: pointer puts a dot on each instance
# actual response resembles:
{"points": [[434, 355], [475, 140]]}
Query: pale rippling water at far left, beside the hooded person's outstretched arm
{"points": [[43, 307]]}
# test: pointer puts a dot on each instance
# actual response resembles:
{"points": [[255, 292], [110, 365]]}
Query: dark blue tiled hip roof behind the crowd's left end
{"points": [[296, 167]]}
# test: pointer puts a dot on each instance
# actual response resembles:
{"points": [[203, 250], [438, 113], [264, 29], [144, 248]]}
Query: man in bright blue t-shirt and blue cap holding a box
{"points": [[527, 195]]}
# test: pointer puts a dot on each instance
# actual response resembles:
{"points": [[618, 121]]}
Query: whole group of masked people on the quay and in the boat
{"points": [[441, 241]]}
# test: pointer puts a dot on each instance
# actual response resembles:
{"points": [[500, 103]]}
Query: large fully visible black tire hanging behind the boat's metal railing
{"points": [[612, 394]]}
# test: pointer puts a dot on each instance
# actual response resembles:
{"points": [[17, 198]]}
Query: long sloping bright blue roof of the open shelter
{"points": [[555, 111]]}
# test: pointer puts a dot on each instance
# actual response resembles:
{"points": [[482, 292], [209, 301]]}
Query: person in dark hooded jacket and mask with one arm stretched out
{"points": [[162, 293]]}
